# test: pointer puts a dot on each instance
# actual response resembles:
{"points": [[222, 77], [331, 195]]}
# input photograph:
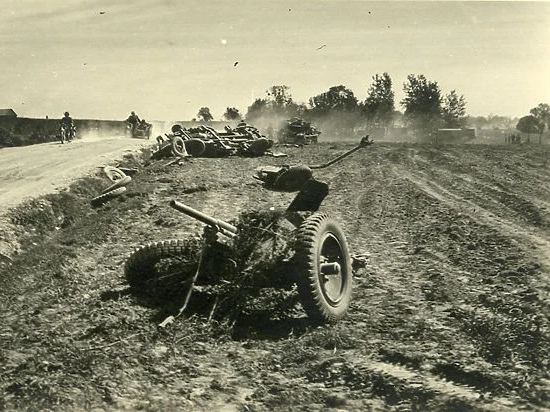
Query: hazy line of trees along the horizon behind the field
{"points": [[426, 108]]}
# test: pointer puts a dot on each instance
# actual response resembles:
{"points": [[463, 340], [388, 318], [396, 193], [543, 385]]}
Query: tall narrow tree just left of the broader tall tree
{"points": [[379, 106]]}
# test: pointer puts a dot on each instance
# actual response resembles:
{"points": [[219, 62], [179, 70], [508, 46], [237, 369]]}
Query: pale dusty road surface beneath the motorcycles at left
{"points": [[30, 171]]}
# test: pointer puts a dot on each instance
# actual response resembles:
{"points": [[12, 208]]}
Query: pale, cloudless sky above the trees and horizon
{"points": [[165, 59]]}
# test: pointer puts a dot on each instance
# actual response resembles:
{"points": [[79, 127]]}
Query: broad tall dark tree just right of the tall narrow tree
{"points": [[422, 103]]}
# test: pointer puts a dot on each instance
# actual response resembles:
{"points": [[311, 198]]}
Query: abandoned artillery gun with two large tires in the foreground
{"points": [[295, 249]]}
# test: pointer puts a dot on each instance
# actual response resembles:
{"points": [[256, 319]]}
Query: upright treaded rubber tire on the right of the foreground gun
{"points": [[310, 238]]}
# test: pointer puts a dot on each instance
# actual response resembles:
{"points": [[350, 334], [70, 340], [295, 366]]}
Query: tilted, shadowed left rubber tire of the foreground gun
{"points": [[139, 267]]}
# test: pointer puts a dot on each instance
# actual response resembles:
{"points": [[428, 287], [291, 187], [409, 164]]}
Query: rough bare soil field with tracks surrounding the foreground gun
{"points": [[451, 312]]}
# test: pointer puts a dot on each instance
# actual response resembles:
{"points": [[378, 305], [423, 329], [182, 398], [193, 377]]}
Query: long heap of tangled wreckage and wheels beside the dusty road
{"points": [[204, 141]]}
